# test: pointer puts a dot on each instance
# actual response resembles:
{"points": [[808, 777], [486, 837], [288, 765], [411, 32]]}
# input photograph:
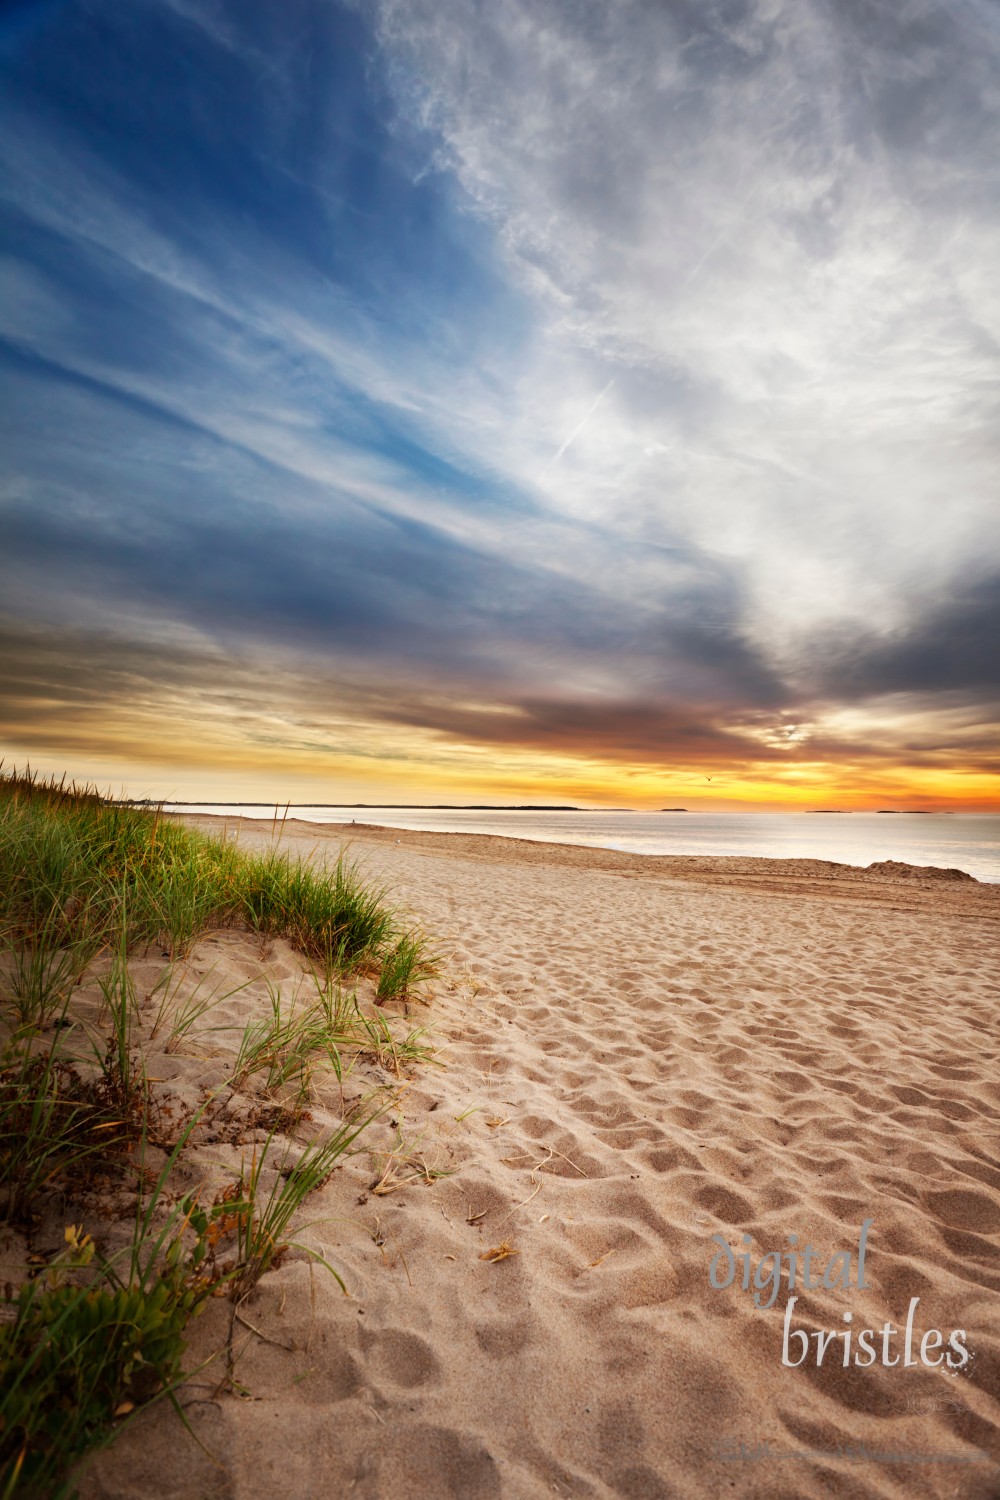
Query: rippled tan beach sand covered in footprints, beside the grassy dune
{"points": [[635, 1055]]}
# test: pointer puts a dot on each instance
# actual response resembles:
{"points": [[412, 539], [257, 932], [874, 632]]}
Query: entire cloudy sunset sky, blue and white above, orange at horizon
{"points": [[519, 401]]}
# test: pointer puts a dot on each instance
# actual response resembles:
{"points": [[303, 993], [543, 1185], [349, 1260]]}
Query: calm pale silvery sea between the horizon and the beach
{"points": [[962, 841]]}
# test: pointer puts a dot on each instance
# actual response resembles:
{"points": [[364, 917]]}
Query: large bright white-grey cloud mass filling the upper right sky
{"points": [[773, 221]]}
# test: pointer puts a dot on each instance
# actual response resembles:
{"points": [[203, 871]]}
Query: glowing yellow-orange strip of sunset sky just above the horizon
{"points": [[448, 773]]}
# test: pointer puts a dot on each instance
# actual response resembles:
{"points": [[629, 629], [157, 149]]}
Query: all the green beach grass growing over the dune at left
{"points": [[89, 887]]}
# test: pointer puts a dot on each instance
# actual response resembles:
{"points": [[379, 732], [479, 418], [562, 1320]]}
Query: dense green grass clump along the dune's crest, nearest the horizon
{"points": [[80, 872]]}
